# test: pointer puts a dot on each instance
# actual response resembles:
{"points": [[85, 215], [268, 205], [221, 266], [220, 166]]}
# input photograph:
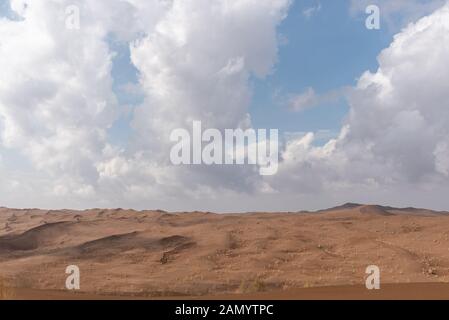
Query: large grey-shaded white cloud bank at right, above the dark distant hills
{"points": [[395, 137]]}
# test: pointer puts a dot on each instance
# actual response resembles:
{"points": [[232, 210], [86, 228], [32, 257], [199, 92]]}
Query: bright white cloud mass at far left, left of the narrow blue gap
{"points": [[56, 97]]}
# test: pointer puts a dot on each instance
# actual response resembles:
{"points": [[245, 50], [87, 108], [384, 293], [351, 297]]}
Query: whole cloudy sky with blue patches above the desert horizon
{"points": [[86, 113]]}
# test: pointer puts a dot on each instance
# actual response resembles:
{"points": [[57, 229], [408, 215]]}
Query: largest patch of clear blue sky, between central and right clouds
{"points": [[326, 51]]}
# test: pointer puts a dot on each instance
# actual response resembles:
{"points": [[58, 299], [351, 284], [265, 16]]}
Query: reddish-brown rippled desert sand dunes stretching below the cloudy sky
{"points": [[160, 255]]}
